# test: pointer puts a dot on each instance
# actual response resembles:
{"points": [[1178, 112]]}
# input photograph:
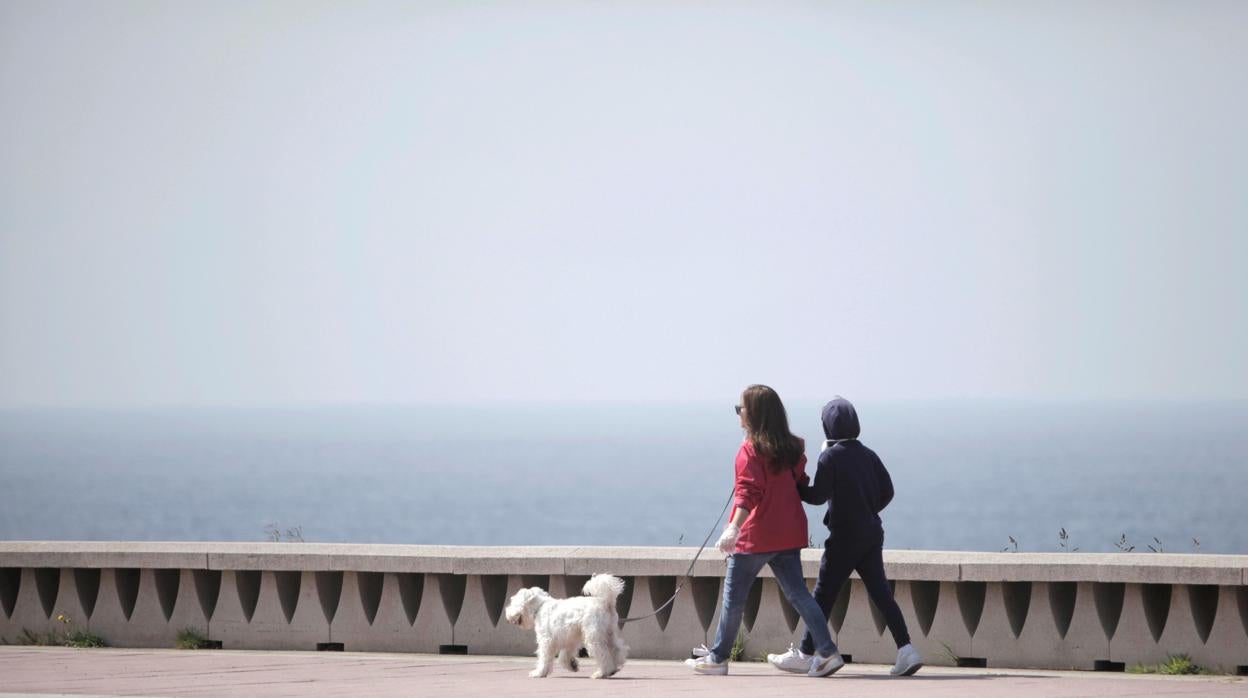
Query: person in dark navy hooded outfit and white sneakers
{"points": [[857, 486]]}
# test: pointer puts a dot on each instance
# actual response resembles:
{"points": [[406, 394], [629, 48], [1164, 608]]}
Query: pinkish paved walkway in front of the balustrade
{"points": [[172, 672]]}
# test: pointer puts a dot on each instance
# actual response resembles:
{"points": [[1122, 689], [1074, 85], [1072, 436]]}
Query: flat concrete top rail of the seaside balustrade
{"points": [[943, 566]]}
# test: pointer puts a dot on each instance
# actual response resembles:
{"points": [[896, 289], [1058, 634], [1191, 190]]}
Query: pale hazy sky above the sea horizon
{"points": [[283, 203]]}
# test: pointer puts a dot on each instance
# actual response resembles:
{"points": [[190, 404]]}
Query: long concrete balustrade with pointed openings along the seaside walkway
{"points": [[1005, 610]]}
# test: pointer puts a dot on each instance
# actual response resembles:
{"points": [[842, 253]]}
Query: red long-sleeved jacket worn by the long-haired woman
{"points": [[777, 520]]}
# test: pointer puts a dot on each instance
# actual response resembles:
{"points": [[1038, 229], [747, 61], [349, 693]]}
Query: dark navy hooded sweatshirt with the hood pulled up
{"points": [[851, 478]]}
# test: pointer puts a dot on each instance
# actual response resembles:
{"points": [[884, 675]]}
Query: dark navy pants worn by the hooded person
{"points": [[843, 556]]}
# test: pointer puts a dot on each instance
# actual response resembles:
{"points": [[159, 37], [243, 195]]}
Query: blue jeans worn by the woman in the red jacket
{"points": [[742, 571]]}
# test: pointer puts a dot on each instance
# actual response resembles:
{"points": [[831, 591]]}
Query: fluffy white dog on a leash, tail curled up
{"points": [[566, 625]]}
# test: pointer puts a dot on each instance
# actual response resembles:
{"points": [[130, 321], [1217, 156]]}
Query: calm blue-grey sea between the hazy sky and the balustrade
{"points": [[968, 475]]}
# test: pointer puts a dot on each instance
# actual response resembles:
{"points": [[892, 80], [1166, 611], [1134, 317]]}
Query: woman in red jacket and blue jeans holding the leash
{"points": [[768, 528]]}
